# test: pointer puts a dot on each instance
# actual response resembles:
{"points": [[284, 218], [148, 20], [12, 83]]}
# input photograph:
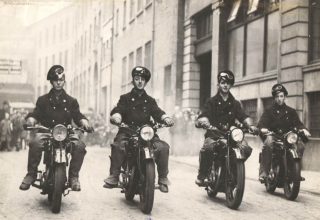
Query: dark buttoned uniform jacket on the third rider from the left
{"points": [[222, 114]]}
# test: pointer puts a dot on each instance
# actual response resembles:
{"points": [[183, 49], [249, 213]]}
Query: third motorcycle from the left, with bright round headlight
{"points": [[227, 171]]}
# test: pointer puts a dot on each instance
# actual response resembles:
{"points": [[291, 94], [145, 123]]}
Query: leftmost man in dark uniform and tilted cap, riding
{"points": [[56, 107]]}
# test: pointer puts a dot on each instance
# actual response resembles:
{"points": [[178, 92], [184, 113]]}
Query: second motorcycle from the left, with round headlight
{"points": [[138, 170]]}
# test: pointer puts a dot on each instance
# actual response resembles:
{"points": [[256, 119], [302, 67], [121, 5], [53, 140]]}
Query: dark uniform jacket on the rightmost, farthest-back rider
{"points": [[280, 119]]}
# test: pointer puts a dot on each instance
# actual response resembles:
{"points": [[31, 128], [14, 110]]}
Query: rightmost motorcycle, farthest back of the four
{"points": [[285, 170]]}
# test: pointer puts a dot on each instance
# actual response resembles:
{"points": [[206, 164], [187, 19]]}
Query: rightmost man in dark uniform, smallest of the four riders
{"points": [[280, 118]]}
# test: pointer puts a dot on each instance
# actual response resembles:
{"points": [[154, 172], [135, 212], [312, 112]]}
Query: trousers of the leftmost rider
{"points": [[35, 152]]}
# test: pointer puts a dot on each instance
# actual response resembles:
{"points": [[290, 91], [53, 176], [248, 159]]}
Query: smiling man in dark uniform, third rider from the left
{"points": [[220, 111]]}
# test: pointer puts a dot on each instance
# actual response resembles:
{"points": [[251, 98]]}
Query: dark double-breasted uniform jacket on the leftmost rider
{"points": [[50, 111]]}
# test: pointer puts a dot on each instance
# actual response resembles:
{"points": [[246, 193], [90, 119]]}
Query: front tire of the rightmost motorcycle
{"points": [[292, 184]]}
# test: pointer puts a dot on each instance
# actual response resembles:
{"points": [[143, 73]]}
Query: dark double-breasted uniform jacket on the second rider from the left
{"points": [[137, 110]]}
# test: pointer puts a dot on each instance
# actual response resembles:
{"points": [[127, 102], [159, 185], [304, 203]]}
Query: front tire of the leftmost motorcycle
{"points": [[58, 187]]}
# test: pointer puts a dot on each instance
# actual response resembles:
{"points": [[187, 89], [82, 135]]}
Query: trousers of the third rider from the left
{"points": [[206, 154]]}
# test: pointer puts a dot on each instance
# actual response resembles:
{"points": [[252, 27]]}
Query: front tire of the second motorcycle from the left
{"points": [[147, 188]]}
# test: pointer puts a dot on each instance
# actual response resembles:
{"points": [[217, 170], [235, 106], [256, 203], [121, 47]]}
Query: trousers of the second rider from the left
{"points": [[118, 156]]}
